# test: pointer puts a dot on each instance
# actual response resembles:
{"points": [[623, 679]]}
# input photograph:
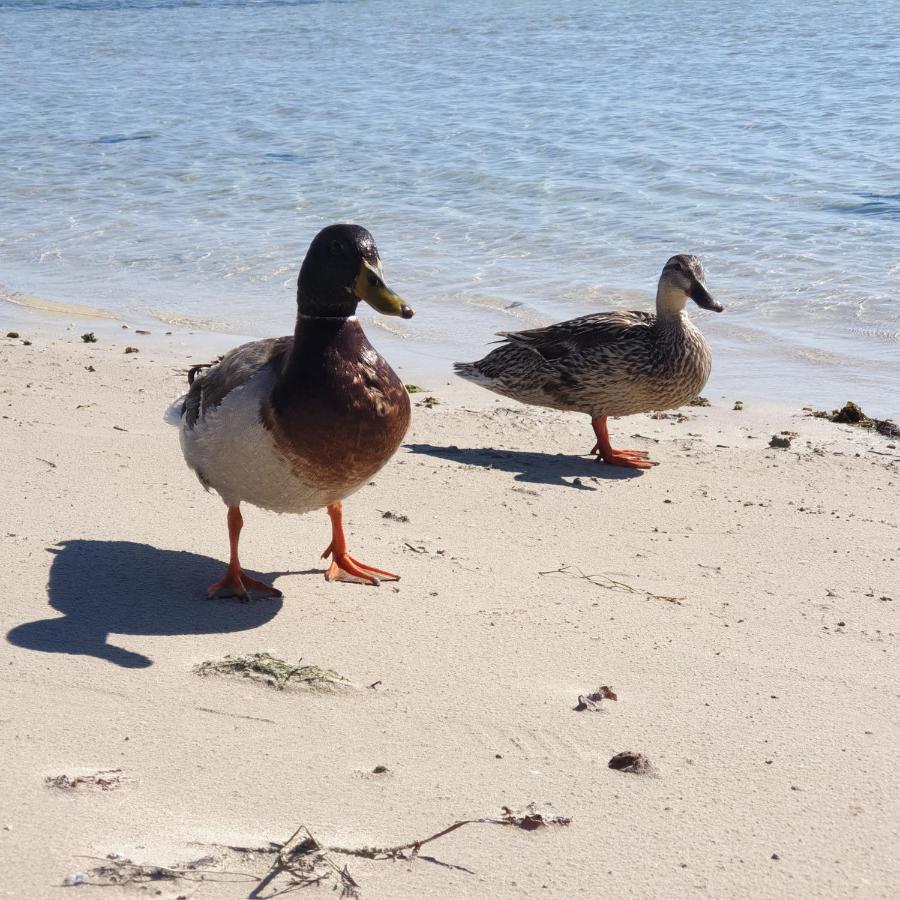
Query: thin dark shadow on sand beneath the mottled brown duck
{"points": [[534, 468]]}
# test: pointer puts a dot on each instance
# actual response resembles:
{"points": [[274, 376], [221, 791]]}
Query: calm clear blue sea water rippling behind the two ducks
{"points": [[516, 162]]}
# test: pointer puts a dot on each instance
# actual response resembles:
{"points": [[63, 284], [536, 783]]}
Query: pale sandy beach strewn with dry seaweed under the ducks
{"points": [[740, 600]]}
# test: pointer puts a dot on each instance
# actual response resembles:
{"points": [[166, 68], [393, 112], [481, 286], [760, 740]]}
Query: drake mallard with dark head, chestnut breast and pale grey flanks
{"points": [[298, 423]]}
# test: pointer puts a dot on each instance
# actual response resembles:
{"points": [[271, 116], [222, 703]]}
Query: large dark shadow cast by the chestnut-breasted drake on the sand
{"points": [[120, 587]]}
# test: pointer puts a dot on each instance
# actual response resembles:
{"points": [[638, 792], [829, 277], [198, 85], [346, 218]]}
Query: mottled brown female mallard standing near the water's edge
{"points": [[609, 364]]}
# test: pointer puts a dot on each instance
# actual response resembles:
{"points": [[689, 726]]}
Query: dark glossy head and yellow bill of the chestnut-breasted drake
{"points": [[341, 268]]}
